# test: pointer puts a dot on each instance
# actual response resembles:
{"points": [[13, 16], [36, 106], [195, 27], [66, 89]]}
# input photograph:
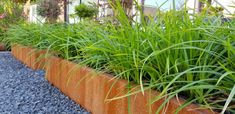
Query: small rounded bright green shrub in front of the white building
{"points": [[86, 11]]}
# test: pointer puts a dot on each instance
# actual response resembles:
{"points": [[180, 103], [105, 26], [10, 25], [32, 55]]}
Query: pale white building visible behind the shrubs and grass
{"points": [[150, 8]]}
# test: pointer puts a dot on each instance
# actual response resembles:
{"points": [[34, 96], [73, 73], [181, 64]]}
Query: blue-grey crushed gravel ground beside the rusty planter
{"points": [[23, 90]]}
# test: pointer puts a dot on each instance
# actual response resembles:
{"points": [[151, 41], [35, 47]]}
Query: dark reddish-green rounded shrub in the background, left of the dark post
{"points": [[50, 9]]}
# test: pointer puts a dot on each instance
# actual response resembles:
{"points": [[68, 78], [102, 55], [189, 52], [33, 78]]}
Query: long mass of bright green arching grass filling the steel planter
{"points": [[175, 55]]}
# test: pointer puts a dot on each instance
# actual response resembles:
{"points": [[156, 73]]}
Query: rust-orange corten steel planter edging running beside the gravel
{"points": [[94, 90]]}
